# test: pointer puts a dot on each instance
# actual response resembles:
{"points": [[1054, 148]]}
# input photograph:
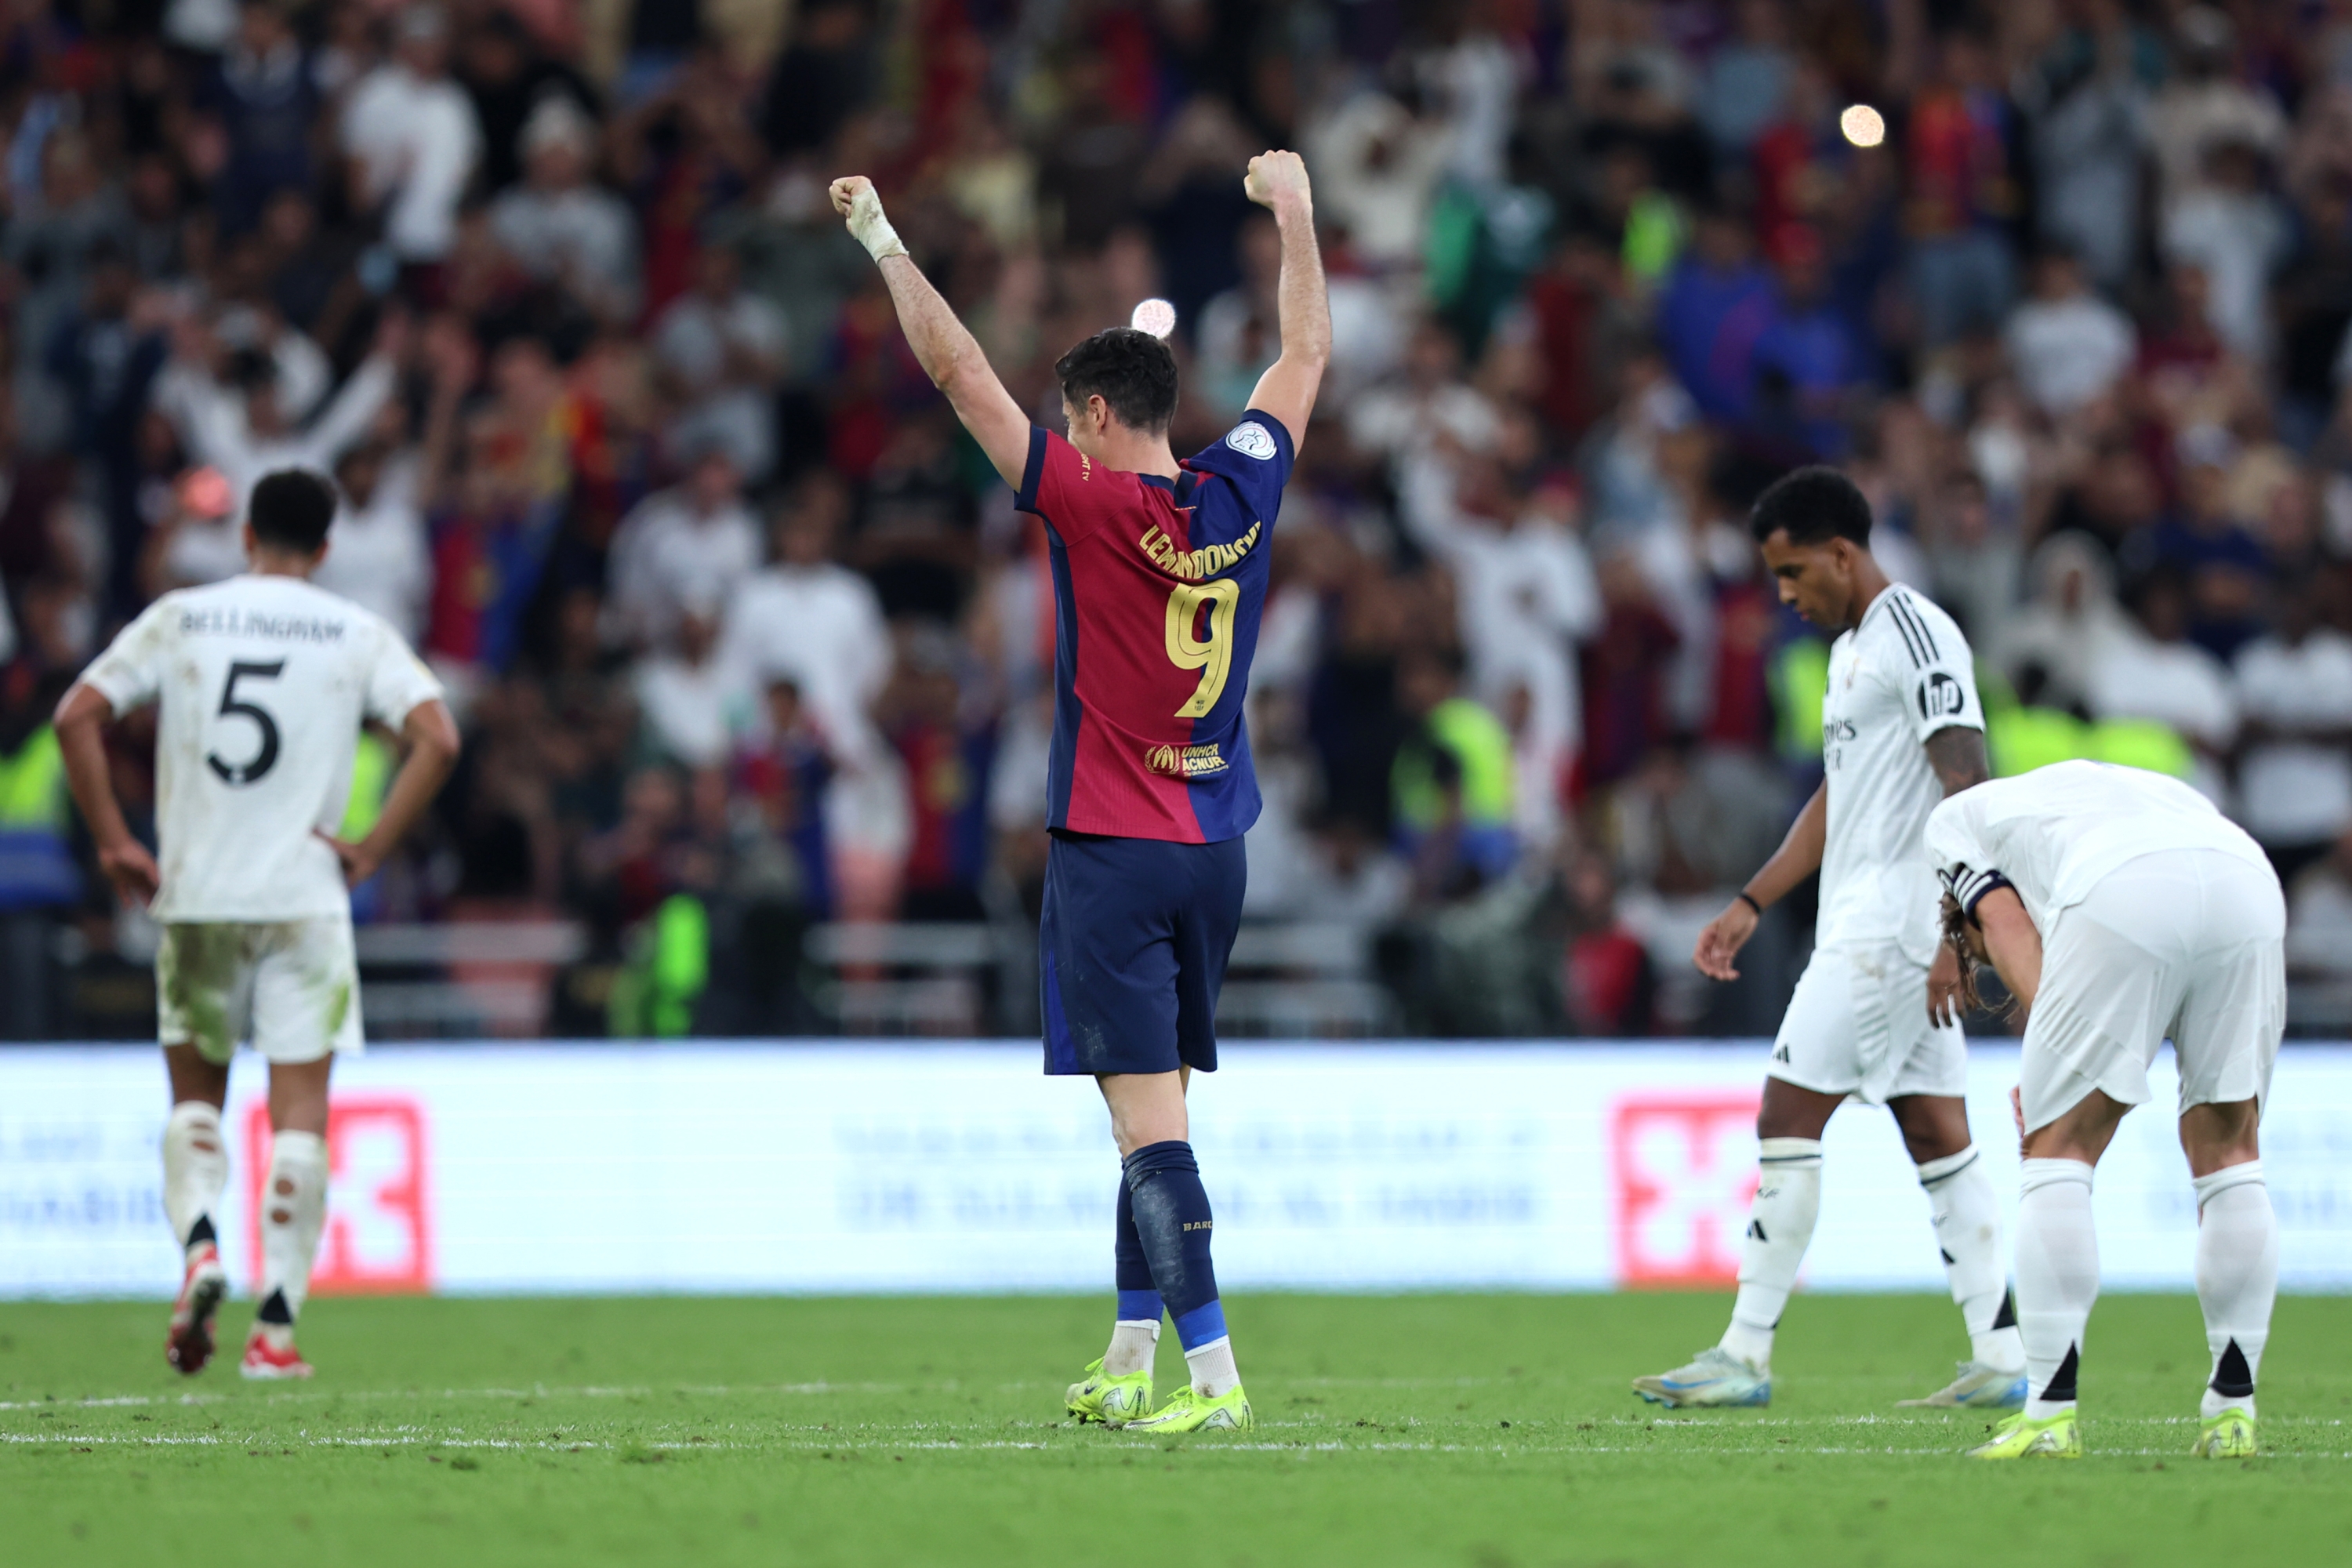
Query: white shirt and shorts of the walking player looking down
{"points": [[1859, 1019]]}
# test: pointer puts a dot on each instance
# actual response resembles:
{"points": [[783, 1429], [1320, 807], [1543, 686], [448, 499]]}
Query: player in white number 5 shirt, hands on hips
{"points": [[265, 685]]}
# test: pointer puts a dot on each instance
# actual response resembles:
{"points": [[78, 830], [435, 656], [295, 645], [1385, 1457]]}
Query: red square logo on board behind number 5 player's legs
{"points": [[380, 1217]]}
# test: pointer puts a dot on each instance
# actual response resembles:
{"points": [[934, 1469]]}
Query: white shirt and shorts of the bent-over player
{"points": [[2158, 918]]}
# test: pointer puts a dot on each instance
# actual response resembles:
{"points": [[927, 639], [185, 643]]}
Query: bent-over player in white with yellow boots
{"points": [[2123, 911]]}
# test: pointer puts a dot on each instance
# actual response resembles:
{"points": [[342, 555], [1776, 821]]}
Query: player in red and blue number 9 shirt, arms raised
{"points": [[1161, 577]]}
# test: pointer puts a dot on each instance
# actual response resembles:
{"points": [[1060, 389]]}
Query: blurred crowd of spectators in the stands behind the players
{"points": [[747, 636]]}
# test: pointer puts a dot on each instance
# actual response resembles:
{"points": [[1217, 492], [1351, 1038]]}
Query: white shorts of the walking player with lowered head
{"points": [[1859, 1026]]}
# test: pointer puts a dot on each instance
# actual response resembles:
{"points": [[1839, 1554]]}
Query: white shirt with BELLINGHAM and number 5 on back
{"points": [[265, 685]]}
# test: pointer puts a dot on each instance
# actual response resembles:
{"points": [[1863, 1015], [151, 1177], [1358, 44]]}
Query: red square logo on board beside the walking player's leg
{"points": [[1685, 1170]]}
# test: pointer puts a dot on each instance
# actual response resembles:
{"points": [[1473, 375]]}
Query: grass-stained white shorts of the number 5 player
{"points": [[290, 986]]}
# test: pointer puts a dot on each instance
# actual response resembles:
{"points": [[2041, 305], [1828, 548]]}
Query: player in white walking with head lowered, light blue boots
{"points": [[1899, 730]]}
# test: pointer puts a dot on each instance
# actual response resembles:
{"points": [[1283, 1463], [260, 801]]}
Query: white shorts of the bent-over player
{"points": [[2179, 944]]}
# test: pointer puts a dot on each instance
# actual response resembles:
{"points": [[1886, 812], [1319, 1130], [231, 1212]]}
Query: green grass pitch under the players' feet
{"points": [[1474, 1430]]}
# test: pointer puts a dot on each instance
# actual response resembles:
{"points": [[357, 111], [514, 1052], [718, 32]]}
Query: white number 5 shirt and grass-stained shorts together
{"points": [[265, 685]]}
